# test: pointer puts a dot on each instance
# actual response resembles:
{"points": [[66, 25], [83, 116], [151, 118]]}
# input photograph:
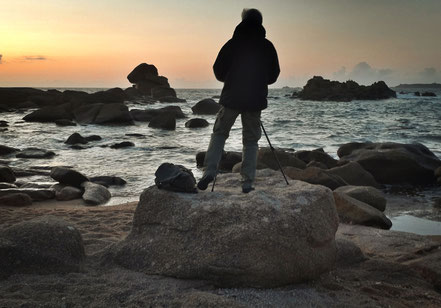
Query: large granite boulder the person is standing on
{"points": [[274, 236]]}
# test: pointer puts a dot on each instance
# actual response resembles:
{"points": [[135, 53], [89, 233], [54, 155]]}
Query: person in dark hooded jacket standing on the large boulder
{"points": [[246, 65]]}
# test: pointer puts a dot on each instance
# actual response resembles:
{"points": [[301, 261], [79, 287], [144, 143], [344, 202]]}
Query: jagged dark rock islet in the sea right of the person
{"points": [[320, 89]]}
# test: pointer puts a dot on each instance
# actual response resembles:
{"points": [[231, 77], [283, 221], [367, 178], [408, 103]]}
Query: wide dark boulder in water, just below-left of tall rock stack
{"points": [[113, 113]]}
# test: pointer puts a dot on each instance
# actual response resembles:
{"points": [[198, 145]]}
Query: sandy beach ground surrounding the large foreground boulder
{"points": [[389, 276]]}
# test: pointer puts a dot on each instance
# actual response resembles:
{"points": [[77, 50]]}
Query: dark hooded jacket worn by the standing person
{"points": [[247, 64]]}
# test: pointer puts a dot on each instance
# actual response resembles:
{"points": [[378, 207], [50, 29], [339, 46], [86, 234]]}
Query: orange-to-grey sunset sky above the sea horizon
{"points": [[96, 43]]}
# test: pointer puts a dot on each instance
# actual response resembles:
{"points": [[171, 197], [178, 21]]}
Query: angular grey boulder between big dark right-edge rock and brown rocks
{"points": [[354, 174]]}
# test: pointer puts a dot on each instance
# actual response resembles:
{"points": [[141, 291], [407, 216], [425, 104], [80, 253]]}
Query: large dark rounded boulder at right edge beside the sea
{"points": [[393, 163]]}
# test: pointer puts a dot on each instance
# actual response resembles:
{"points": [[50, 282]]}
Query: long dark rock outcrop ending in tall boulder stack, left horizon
{"points": [[102, 107]]}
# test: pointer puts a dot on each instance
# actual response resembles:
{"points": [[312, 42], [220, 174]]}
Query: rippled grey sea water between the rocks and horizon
{"points": [[290, 123]]}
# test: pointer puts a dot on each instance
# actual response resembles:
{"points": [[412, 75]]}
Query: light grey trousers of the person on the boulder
{"points": [[251, 134]]}
